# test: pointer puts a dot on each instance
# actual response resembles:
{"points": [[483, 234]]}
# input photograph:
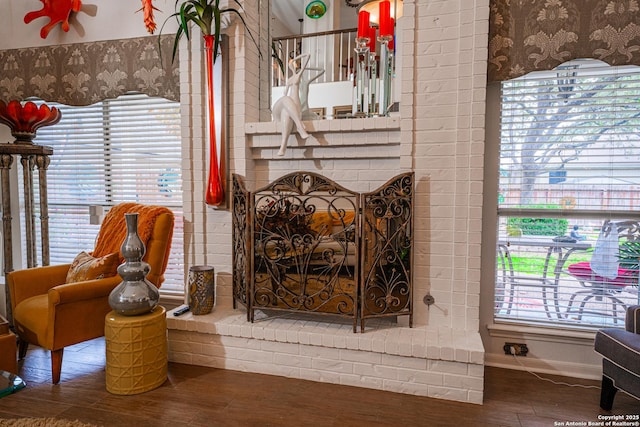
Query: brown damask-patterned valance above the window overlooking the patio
{"points": [[528, 35]]}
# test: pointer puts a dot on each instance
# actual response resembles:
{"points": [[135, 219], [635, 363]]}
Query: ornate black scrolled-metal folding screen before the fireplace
{"points": [[306, 244]]}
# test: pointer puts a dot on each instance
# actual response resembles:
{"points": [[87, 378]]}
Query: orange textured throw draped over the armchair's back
{"points": [[114, 227]]}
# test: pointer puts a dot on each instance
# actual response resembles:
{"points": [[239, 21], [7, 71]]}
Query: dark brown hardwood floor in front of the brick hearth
{"points": [[198, 396]]}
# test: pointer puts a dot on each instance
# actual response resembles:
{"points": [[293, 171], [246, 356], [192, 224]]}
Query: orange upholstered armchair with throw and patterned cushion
{"points": [[57, 306]]}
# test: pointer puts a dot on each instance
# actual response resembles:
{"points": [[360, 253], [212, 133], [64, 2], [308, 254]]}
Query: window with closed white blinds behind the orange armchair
{"points": [[120, 150]]}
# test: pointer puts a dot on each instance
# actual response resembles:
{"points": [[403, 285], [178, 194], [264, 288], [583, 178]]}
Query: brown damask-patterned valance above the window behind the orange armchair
{"points": [[85, 73]]}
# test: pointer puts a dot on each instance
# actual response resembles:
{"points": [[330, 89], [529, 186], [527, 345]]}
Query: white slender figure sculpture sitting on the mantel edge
{"points": [[288, 110]]}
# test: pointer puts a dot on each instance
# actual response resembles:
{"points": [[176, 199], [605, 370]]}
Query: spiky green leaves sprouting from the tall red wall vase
{"points": [[207, 15]]}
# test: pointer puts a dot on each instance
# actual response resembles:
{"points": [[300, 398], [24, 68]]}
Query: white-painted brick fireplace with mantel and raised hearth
{"points": [[439, 134]]}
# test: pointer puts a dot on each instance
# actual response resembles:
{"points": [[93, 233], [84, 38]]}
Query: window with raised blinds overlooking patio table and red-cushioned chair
{"points": [[569, 196]]}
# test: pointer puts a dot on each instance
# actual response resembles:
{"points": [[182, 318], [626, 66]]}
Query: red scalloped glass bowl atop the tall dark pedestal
{"points": [[25, 120]]}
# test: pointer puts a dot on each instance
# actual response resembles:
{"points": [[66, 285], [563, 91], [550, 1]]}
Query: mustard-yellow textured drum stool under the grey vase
{"points": [[136, 351]]}
